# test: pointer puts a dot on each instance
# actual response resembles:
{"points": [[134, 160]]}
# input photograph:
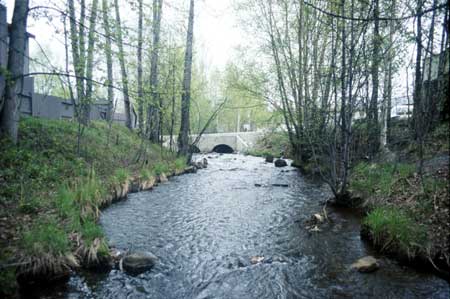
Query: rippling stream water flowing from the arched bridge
{"points": [[206, 227]]}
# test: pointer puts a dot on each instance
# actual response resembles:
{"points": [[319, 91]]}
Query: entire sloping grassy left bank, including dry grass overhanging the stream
{"points": [[51, 193]]}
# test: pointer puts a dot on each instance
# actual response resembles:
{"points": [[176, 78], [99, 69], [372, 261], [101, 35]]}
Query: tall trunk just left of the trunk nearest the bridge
{"points": [[155, 104]]}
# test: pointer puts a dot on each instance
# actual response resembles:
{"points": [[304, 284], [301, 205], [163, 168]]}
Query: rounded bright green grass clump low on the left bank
{"points": [[45, 237]]}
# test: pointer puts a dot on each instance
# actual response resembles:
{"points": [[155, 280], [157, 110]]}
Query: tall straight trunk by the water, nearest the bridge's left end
{"points": [[183, 139]]}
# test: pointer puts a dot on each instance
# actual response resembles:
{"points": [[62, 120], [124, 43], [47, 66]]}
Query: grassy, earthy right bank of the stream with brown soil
{"points": [[408, 214]]}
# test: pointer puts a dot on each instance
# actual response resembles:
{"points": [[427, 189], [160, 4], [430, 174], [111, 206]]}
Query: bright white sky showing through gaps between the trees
{"points": [[216, 32]]}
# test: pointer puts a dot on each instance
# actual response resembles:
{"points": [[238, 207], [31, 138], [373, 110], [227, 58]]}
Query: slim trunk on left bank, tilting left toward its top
{"points": [[126, 96]]}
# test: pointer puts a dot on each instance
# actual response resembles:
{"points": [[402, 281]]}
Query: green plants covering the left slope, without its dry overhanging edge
{"points": [[61, 188]]}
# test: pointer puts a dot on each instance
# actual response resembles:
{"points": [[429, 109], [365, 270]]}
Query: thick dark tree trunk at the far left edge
{"points": [[10, 115]]}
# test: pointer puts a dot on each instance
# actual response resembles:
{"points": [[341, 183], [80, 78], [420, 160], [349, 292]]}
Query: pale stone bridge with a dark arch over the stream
{"points": [[223, 142]]}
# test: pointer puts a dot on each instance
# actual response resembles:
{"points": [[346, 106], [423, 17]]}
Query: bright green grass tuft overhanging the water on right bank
{"points": [[393, 229]]}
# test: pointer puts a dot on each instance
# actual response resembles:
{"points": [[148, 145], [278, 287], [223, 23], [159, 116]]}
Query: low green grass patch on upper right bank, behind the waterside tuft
{"points": [[370, 179]]}
